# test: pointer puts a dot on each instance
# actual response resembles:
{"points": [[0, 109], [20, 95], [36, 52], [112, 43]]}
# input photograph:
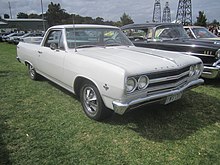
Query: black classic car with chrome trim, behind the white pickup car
{"points": [[172, 37]]}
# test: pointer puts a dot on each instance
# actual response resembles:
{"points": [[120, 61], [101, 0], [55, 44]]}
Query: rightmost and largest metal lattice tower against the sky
{"points": [[184, 12]]}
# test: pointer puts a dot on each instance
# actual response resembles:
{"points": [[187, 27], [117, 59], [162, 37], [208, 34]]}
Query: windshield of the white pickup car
{"points": [[89, 37]]}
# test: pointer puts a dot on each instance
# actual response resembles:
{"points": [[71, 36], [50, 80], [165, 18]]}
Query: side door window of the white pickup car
{"points": [[55, 40]]}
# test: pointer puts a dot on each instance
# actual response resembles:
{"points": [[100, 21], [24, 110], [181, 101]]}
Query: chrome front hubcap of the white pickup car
{"points": [[90, 100]]}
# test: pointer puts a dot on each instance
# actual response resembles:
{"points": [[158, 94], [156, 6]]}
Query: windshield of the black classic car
{"points": [[170, 32]]}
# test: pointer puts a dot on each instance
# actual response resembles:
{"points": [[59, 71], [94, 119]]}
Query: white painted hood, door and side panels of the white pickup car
{"points": [[102, 65]]}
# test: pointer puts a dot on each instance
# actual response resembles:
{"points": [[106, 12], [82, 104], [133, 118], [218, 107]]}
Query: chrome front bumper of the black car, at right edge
{"points": [[211, 72]]}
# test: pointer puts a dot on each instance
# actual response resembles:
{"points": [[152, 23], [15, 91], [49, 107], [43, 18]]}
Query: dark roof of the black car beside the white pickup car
{"points": [[147, 25]]}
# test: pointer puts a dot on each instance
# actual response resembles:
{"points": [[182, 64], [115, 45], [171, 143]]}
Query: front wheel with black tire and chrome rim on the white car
{"points": [[92, 102]]}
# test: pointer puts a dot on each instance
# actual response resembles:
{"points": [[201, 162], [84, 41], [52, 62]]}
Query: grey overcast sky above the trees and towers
{"points": [[139, 10]]}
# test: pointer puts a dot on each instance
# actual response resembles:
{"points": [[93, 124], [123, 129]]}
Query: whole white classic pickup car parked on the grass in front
{"points": [[101, 66]]}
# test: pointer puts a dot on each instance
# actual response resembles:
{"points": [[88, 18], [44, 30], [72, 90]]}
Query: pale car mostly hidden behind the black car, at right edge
{"points": [[199, 32]]}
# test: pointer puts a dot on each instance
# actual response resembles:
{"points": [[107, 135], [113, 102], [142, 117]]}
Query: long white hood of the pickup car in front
{"points": [[139, 60]]}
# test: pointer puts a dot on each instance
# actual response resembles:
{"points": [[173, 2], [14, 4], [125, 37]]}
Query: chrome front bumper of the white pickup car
{"points": [[121, 108]]}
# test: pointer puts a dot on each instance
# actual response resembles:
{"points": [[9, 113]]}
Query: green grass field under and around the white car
{"points": [[41, 123]]}
